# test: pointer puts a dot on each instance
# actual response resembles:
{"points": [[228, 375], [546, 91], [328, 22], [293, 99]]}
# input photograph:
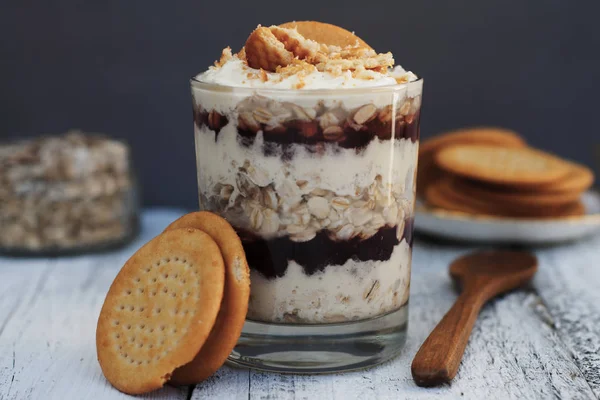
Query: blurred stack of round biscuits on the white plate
{"points": [[492, 171]]}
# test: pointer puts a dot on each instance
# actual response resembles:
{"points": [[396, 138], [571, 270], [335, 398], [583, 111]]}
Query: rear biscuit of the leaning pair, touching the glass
{"points": [[231, 317]]}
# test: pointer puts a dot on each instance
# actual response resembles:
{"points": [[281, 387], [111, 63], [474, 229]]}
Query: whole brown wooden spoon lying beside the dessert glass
{"points": [[483, 275]]}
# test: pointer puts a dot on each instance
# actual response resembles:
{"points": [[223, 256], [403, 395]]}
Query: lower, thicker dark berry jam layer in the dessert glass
{"points": [[271, 257]]}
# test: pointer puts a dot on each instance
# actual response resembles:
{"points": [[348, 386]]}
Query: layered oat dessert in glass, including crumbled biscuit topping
{"points": [[309, 149]]}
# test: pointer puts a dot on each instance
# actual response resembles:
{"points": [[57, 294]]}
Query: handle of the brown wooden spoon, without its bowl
{"points": [[438, 358]]}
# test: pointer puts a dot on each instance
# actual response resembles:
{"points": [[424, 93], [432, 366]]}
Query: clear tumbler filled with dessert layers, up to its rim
{"points": [[320, 186]]}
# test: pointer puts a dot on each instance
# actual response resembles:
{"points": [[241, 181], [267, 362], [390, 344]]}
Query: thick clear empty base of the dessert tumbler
{"points": [[325, 348]]}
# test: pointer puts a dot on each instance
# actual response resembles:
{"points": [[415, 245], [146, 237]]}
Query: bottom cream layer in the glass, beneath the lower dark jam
{"points": [[353, 291]]}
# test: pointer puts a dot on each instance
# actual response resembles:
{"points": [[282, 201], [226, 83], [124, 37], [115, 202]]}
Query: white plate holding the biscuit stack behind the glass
{"points": [[476, 228]]}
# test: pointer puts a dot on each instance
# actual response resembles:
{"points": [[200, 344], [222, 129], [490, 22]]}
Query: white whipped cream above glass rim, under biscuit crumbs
{"points": [[236, 73]]}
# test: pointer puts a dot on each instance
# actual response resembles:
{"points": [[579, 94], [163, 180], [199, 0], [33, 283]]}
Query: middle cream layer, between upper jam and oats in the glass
{"points": [[340, 171]]}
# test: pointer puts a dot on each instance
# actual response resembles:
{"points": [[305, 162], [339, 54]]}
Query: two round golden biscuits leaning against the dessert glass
{"points": [[177, 307]]}
